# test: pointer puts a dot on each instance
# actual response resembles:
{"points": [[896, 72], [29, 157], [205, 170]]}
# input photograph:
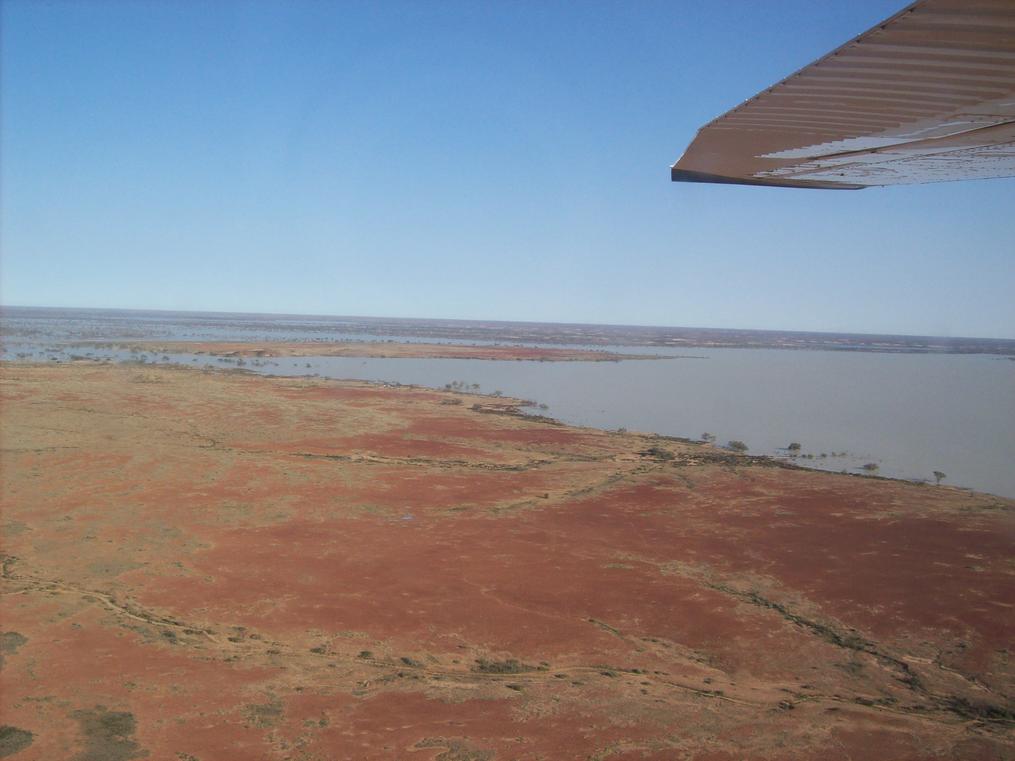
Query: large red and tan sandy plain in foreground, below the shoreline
{"points": [[212, 566]]}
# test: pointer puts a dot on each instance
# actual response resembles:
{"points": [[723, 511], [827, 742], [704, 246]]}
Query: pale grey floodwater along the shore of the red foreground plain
{"points": [[910, 414]]}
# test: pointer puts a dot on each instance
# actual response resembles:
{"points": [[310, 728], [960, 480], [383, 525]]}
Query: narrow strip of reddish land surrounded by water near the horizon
{"points": [[380, 350]]}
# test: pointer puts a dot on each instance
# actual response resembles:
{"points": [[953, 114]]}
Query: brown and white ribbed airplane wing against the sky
{"points": [[927, 96]]}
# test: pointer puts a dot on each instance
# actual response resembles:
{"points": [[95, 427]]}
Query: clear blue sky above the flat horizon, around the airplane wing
{"points": [[456, 160]]}
